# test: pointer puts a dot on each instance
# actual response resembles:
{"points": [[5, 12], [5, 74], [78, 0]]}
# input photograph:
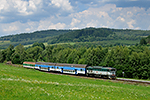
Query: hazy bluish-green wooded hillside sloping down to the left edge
{"points": [[30, 38]]}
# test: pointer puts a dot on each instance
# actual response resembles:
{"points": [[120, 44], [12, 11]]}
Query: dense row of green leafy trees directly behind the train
{"points": [[132, 60]]}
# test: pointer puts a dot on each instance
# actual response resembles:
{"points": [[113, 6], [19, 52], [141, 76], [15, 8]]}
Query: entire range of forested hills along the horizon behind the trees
{"points": [[98, 36]]}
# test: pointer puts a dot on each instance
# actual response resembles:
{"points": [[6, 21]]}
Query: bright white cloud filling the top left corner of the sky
{"points": [[21, 6]]}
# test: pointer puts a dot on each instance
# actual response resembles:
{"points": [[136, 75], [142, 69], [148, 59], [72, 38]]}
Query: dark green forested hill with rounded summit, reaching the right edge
{"points": [[101, 34]]}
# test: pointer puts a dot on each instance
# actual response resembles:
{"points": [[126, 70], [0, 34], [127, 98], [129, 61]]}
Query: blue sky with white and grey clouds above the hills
{"points": [[26, 16]]}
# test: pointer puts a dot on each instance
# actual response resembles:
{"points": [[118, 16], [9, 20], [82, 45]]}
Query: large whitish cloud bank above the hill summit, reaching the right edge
{"points": [[113, 17]]}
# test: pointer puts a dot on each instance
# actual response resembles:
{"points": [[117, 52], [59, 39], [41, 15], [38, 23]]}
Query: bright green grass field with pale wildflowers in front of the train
{"points": [[18, 83]]}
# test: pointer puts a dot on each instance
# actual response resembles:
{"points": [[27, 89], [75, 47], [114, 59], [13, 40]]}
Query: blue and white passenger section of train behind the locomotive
{"points": [[61, 67]]}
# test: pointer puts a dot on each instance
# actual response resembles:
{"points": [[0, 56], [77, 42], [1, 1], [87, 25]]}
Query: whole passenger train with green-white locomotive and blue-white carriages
{"points": [[96, 71]]}
